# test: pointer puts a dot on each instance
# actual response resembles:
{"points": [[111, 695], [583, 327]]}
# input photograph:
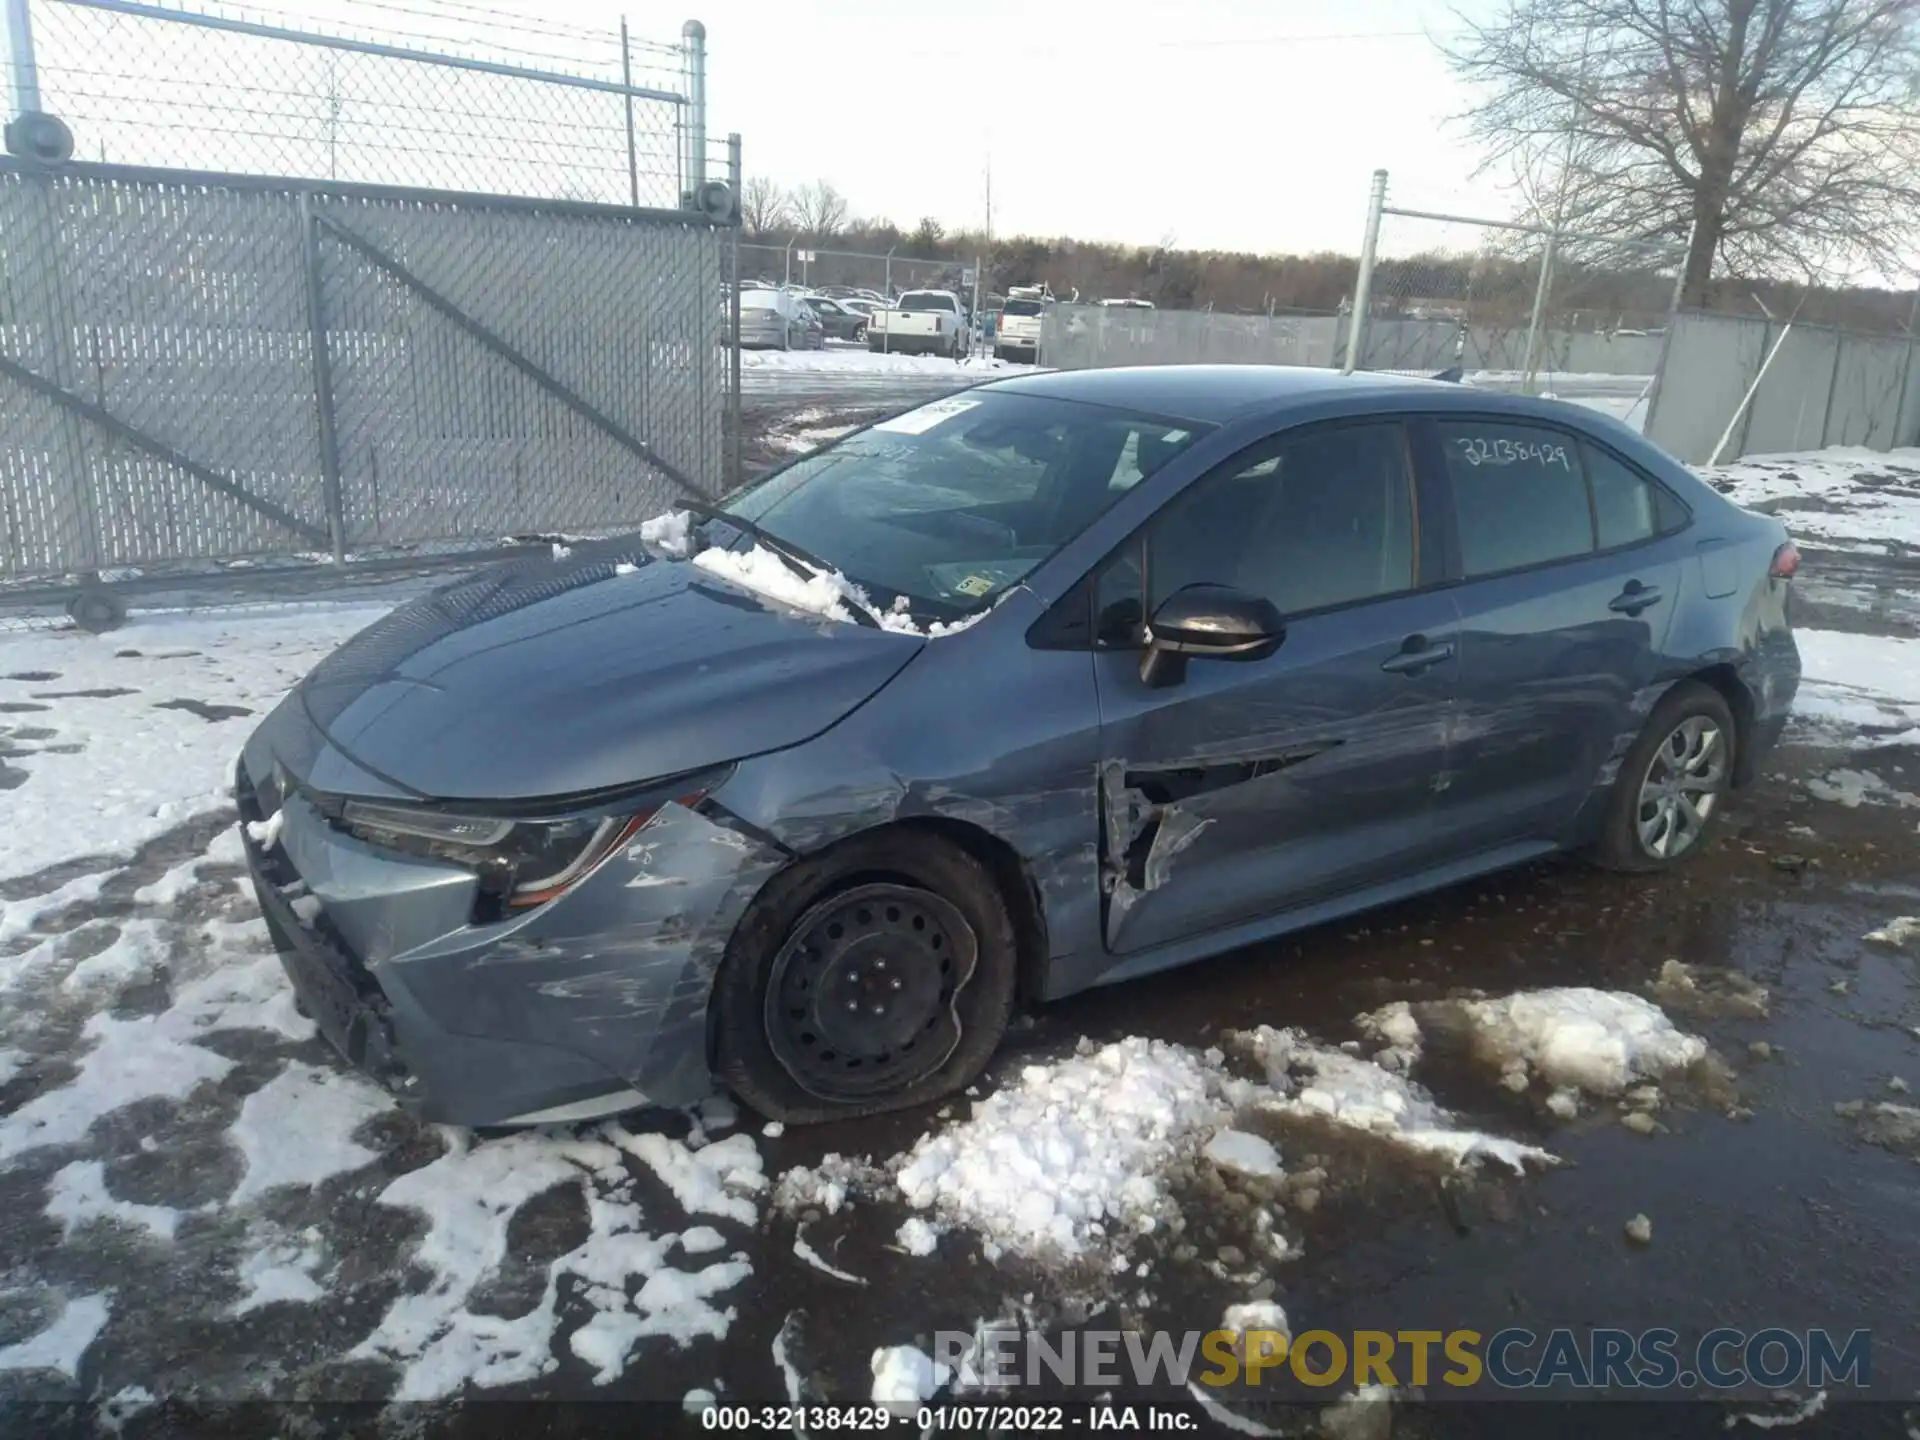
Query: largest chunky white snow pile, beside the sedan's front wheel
{"points": [[1072, 1153]]}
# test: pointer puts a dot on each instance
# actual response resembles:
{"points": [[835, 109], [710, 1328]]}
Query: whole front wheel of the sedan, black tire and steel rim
{"points": [[873, 978]]}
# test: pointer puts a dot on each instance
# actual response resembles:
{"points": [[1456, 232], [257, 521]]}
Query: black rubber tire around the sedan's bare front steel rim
{"points": [[746, 1053]]}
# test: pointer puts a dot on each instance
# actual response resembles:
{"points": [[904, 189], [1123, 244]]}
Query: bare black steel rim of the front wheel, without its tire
{"points": [[861, 997]]}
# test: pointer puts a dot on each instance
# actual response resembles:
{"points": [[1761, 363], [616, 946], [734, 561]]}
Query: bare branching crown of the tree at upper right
{"points": [[1781, 137]]}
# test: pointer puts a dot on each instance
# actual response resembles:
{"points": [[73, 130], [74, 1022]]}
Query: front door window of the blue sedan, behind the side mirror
{"points": [[1308, 521]]}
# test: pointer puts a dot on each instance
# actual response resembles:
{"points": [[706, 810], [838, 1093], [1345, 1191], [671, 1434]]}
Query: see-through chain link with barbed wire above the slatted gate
{"points": [[441, 97]]}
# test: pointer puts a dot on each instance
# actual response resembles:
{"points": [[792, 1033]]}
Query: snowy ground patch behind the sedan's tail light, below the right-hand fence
{"points": [[1846, 498]]}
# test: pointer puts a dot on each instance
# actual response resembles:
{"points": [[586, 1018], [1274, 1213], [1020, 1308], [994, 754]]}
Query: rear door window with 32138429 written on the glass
{"points": [[1518, 494]]}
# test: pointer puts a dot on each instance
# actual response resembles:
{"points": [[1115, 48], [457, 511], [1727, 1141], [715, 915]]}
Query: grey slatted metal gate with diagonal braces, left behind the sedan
{"points": [[206, 366]]}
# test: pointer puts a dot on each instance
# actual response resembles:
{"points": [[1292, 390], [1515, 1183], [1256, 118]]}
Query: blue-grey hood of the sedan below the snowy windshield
{"points": [[590, 673]]}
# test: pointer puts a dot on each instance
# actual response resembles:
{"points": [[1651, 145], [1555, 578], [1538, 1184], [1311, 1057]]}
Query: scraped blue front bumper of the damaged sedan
{"points": [[585, 1007]]}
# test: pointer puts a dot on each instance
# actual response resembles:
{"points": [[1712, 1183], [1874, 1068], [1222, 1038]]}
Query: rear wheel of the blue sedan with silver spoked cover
{"points": [[1673, 782]]}
